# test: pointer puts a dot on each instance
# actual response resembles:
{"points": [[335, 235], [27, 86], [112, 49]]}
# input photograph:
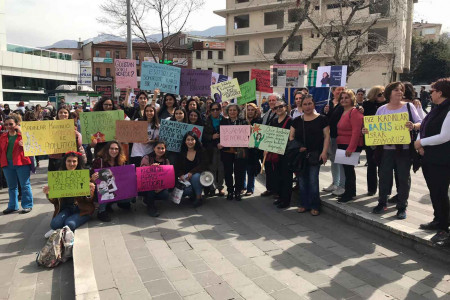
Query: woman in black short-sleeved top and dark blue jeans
{"points": [[312, 132]]}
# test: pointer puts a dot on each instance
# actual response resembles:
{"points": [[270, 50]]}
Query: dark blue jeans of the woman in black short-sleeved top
{"points": [[308, 183]]}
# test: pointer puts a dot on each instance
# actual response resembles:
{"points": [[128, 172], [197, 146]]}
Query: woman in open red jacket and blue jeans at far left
{"points": [[16, 166]]}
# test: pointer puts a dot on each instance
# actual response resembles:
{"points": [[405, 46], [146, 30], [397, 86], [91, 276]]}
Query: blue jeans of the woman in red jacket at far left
{"points": [[12, 173]]}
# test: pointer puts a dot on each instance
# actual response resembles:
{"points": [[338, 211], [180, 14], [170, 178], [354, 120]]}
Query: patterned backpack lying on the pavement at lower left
{"points": [[57, 249]]}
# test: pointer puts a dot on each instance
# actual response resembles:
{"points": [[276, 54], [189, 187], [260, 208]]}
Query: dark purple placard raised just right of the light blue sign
{"points": [[195, 82]]}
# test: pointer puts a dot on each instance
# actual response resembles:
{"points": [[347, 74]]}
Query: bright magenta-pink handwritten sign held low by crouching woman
{"points": [[154, 178]]}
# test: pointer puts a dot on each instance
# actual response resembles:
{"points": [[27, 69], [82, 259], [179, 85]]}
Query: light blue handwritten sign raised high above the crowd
{"points": [[166, 78]]}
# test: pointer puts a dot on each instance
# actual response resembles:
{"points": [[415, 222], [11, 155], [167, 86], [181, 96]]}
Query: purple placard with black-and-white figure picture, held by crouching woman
{"points": [[116, 183]]}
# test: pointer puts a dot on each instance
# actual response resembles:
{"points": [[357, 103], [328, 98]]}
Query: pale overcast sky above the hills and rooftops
{"points": [[44, 22]]}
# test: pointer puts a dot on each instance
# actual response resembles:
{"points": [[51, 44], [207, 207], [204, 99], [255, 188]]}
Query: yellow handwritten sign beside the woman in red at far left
{"points": [[48, 137]]}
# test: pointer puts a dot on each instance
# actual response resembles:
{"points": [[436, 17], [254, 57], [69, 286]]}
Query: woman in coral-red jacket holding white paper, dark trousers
{"points": [[350, 140]]}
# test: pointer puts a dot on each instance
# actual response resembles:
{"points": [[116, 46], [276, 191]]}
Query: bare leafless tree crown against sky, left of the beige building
{"points": [[170, 16]]}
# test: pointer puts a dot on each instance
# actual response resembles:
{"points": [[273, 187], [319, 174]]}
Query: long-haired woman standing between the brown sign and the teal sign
{"points": [[141, 149]]}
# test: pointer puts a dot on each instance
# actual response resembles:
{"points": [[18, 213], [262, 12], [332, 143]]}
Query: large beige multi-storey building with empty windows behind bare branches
{"points": [[255, 30]]}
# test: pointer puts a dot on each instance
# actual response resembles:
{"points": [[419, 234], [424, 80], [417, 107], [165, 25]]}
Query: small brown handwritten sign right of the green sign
{"points": [[131, 131]]}
